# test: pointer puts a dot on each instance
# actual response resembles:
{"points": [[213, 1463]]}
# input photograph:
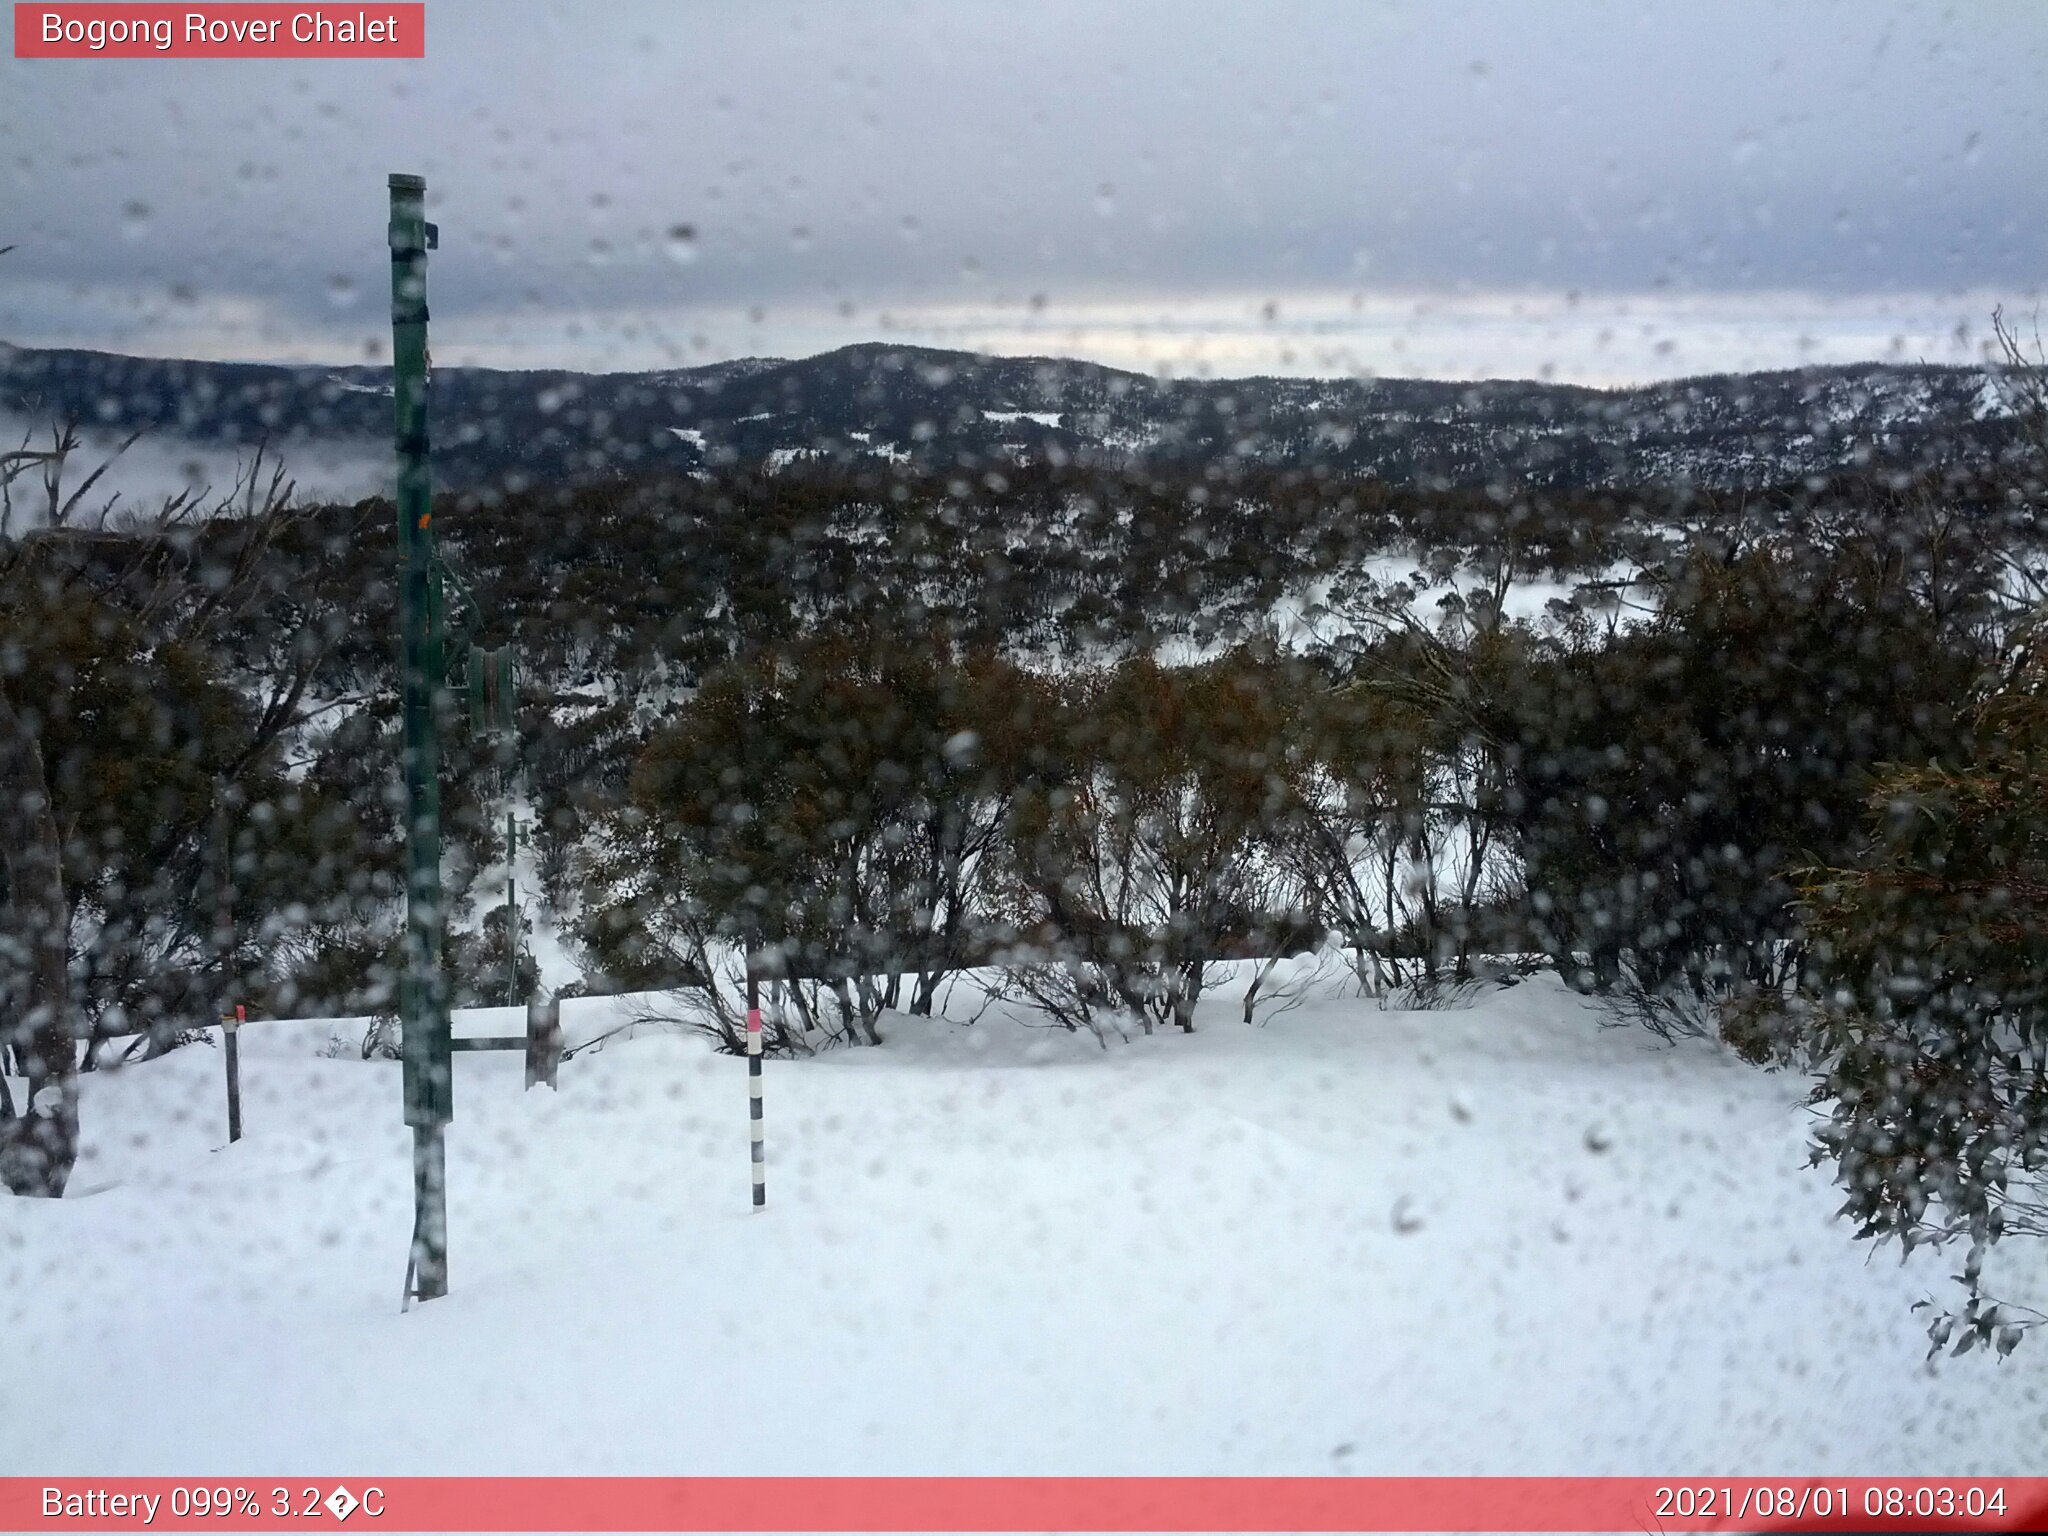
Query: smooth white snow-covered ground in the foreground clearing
{"points": [[1500, 1240]]}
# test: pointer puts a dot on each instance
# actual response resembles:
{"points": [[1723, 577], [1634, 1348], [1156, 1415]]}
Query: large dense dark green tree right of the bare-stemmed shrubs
{"points": [[1666, 783]]}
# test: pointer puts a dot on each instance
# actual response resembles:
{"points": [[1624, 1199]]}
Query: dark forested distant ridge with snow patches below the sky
{"points": [[931, 409]]}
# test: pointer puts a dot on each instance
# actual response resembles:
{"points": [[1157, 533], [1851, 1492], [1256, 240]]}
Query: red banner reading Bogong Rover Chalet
{"points": [[220, 32]]}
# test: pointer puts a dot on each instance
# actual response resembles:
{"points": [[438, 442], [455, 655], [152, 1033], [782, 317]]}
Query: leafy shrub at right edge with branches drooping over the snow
{"points": [[1932, 1019]]}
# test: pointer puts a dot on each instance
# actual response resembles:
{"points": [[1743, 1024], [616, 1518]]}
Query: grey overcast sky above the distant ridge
{"points": [[1578, 191]]}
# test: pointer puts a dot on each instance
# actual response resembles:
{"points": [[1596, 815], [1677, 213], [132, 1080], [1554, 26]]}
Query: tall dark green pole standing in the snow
{"points": [[423, 992]]}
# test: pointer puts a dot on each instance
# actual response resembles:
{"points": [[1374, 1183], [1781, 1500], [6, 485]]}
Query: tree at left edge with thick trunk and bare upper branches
{"points": [[151, 677]]}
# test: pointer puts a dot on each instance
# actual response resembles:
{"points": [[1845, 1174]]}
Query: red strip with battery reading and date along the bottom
{"points": [[1007, 1504]]}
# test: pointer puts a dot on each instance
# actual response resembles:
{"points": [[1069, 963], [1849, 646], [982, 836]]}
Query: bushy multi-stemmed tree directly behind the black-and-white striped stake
{"points": [[828, 806]]}
